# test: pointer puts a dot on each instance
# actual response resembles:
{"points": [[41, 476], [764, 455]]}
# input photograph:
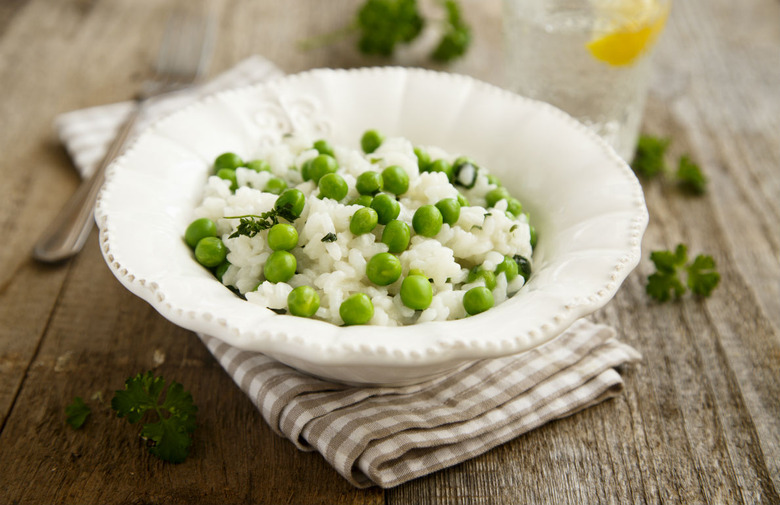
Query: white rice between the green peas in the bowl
{"points": [[338, 269]]}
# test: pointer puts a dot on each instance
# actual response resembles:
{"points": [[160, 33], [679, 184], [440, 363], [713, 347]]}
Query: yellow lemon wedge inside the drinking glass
{"points": [[632, 27]]}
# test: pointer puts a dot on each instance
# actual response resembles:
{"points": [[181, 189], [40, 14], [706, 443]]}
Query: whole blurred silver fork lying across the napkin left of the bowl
{"points": [[184, 53]]}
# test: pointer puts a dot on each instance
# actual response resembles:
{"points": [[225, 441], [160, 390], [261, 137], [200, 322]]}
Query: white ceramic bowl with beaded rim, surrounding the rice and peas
{"points": [[585, 202]]}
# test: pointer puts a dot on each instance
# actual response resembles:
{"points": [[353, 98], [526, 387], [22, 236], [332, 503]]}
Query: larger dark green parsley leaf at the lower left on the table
{"points": [[171, 434]]}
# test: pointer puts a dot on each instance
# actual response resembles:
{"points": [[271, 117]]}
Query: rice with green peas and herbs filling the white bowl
{"points": [[391, 234]]}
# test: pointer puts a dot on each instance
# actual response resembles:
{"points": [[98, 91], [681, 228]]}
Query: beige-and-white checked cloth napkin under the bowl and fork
{"points": [[379, 435]]}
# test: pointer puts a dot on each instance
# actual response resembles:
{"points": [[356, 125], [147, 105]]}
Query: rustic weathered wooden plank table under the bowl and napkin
{"points": [[700, 418]]}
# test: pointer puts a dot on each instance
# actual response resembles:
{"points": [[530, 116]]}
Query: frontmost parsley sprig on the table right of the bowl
{"points": [[701, 276]]}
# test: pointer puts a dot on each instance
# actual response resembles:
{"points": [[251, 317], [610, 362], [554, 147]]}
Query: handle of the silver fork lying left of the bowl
{"points": [[69, 230]]}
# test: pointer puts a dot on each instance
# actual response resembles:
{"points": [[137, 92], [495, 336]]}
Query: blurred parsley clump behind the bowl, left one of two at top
{"points": [[385, 23]]}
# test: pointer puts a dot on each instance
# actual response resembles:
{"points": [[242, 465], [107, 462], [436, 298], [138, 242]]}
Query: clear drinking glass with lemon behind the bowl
{"points": [[590, 58]]}
